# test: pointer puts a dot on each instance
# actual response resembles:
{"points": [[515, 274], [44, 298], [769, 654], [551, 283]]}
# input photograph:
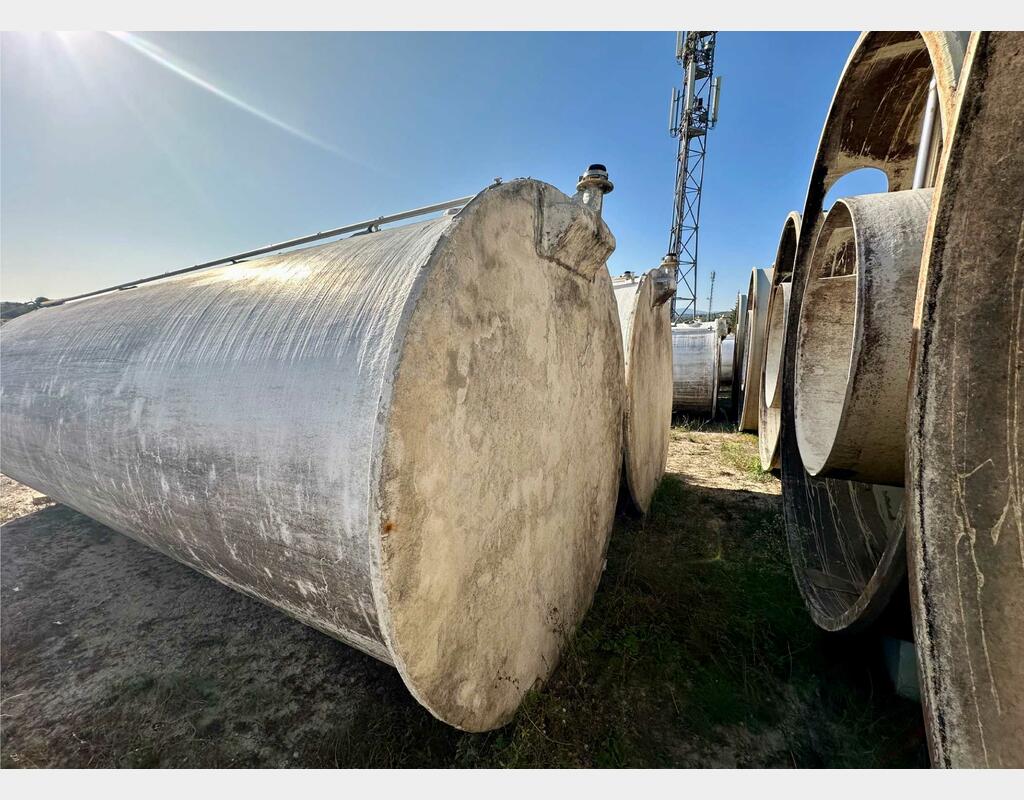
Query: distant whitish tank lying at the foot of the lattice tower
{"points": [[696, 356]]}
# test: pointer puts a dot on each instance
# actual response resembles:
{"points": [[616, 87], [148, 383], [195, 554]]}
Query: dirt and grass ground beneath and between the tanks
{"points": [[698, 653]]}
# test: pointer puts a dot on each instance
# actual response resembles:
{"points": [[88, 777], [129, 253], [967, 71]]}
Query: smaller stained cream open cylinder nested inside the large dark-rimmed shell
{"points": [[854, 354]]}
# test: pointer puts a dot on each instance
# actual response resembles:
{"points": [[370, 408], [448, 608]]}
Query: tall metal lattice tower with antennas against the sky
{"points": [[692, 115]]}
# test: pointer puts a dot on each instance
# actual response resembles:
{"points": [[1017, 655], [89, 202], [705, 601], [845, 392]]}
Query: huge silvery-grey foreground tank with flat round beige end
{"points": [[409, 440]]}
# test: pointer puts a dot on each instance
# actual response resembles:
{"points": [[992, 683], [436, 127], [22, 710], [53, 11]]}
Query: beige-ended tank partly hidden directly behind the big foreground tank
{"points": [[647, 326]]}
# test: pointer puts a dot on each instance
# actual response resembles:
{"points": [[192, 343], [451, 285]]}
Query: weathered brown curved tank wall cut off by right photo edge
{"points": [[966, 427]]}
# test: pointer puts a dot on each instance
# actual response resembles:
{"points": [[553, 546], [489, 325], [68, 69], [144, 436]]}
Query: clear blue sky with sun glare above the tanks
{"points": [[116, 165]]}
